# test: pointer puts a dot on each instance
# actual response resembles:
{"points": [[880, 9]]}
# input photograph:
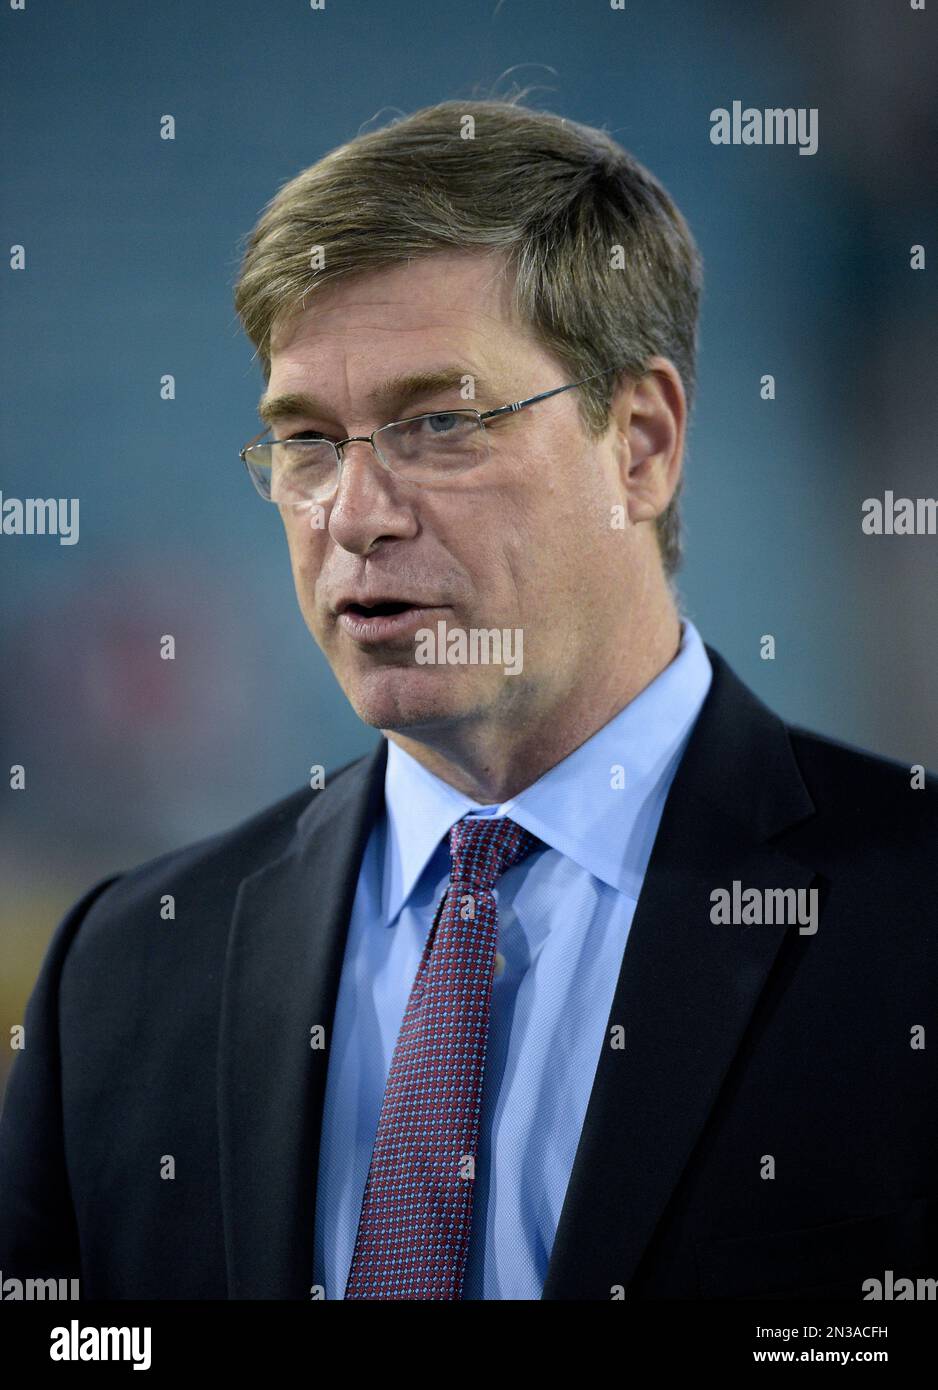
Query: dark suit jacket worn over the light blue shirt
{"points": [[191, 1039]]}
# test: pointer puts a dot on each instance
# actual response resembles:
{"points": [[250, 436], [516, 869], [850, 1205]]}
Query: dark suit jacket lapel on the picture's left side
{"points": [[283, 972]]}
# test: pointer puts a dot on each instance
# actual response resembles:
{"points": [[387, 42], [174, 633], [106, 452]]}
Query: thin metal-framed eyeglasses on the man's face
{"points": [[423, 450]]}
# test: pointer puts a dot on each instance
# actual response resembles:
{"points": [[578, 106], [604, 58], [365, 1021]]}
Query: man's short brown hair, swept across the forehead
{"points": [[561, 199]]}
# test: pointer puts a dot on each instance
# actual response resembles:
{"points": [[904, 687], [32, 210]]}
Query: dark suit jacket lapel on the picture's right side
{"points": [[687, 989]]}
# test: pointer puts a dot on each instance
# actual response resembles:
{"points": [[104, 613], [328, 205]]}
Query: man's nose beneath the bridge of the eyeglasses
{"points": [[370, 504]]}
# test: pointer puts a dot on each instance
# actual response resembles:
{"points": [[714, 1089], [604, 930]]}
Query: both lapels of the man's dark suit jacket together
{"points": [[684, 999]]}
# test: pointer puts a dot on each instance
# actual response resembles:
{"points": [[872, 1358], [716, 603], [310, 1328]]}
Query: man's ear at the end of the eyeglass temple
{"points": [[651, 416]]}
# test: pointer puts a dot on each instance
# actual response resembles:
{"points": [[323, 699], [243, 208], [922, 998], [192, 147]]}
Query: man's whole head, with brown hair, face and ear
{"points": [[529, 256]]}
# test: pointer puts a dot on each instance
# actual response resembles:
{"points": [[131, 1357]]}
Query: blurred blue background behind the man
{"points": [[131, 256]]}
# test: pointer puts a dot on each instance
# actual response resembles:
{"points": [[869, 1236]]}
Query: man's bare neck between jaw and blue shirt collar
{"points": [[494, 761]]}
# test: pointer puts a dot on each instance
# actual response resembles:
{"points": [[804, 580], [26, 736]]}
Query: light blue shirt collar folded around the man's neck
{"points": [[595, 807]]}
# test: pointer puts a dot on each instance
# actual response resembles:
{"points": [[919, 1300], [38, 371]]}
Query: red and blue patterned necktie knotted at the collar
{"points": [[416, 1214]]}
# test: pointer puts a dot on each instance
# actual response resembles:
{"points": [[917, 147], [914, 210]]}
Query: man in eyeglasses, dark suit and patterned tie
{"points": [[595, 979]]}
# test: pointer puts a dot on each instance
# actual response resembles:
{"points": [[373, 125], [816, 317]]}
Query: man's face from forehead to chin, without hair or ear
{"points": [[522, 543]]}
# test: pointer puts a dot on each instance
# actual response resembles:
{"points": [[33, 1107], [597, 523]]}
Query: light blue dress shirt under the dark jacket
{"points": [[565, 915]]}
